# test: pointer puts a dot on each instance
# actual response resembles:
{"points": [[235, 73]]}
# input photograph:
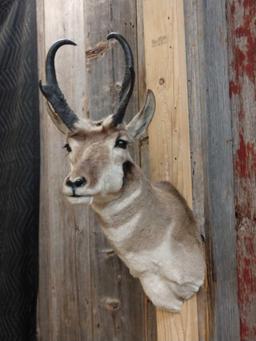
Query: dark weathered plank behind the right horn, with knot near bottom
{"points": [[119, 310]]}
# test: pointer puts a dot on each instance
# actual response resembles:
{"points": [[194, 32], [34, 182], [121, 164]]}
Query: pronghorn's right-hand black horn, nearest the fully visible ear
{"points": [[129, 78]]}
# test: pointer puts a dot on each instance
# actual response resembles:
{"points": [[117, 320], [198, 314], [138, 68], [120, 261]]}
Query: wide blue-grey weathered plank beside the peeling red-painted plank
{"points": [[221, 216]]}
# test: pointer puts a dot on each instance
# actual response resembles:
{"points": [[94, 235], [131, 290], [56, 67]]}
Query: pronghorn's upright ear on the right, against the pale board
{"points": [[140, 122]]}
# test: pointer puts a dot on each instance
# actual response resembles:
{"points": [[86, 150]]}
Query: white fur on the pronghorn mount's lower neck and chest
{"points": [[163, 272]]}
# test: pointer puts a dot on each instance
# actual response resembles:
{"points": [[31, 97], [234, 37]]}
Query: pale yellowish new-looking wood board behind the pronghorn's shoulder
{"points": [[169, 132]]}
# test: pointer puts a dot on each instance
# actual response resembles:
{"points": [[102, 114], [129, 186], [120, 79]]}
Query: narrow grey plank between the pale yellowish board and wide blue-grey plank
{"points": [[194, 26]]}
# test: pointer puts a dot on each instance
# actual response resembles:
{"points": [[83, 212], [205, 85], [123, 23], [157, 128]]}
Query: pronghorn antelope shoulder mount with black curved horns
{"points": [[149, 225]]}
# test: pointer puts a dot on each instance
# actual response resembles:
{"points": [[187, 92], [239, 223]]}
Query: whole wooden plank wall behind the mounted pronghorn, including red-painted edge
{"points": [[200, 62]]}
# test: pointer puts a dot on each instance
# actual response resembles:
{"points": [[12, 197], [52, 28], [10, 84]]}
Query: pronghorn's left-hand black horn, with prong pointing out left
{"points": [[51, 89]]}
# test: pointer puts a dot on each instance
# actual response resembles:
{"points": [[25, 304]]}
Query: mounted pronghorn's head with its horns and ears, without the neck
{"points": [[97, 150]]}
